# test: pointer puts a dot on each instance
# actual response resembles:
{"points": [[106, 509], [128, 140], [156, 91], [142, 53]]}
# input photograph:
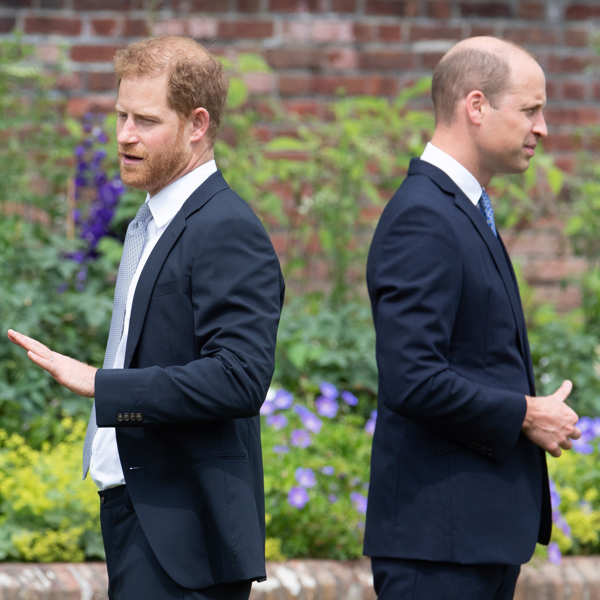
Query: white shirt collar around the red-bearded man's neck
{"points": [[166, 204]]}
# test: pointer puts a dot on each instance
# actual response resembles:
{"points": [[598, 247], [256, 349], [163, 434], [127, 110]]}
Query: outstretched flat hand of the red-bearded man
{"points": [[73, 374]]}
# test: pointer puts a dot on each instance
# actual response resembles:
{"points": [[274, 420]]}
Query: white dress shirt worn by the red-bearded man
{"points": [[105, 465]]}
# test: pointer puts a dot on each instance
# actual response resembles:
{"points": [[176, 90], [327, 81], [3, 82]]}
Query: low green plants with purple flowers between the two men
{"points": [[330, 524]]}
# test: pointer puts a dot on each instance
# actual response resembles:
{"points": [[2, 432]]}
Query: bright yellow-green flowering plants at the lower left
{"points": [[46, 512]]}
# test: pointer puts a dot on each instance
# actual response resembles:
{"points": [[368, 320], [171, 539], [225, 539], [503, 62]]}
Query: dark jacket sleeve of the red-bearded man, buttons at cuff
{"points": [[236, 294]]}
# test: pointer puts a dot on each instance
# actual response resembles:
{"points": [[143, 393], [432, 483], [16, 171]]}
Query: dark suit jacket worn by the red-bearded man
{"points": [[199, 360]]}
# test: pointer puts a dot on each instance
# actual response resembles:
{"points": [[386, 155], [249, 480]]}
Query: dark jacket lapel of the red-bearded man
{"points": [[153, 266]]}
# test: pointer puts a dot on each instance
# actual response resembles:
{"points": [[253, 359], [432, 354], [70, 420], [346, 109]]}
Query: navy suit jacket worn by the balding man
{"points": [[452, 476]]}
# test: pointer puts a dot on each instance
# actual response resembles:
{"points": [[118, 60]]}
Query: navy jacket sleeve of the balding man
{"points": [[415, 281]]}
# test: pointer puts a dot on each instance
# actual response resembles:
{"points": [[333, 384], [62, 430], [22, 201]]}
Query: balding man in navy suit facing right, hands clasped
{"points": [[459, 488]]}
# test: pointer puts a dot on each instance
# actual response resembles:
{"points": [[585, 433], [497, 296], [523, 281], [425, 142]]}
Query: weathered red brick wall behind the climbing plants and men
{"points": [[318, 46]]}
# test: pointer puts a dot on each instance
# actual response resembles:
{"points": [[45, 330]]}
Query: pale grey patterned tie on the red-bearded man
{"points": [[135, 239]]}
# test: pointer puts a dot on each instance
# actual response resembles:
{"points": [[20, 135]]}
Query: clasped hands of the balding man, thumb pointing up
{"points": [[549, 422]]}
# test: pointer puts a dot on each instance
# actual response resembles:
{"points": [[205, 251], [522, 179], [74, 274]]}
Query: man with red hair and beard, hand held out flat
{"points": [[173, 441]]}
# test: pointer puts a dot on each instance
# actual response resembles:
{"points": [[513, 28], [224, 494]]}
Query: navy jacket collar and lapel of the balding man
{"points": [[494, 245]]}
